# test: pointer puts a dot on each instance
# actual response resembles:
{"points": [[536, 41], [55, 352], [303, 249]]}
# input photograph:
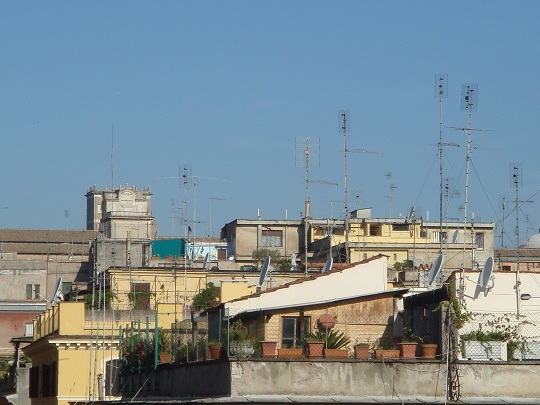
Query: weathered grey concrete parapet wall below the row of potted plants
{"points": [[373, 379]]}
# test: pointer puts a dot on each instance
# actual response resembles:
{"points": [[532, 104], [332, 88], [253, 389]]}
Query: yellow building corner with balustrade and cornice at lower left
{"points": [[73, 357]]}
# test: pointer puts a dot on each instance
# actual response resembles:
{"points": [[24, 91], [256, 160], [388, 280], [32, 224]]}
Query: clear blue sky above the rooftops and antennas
{"points": [[226, 88]]}
